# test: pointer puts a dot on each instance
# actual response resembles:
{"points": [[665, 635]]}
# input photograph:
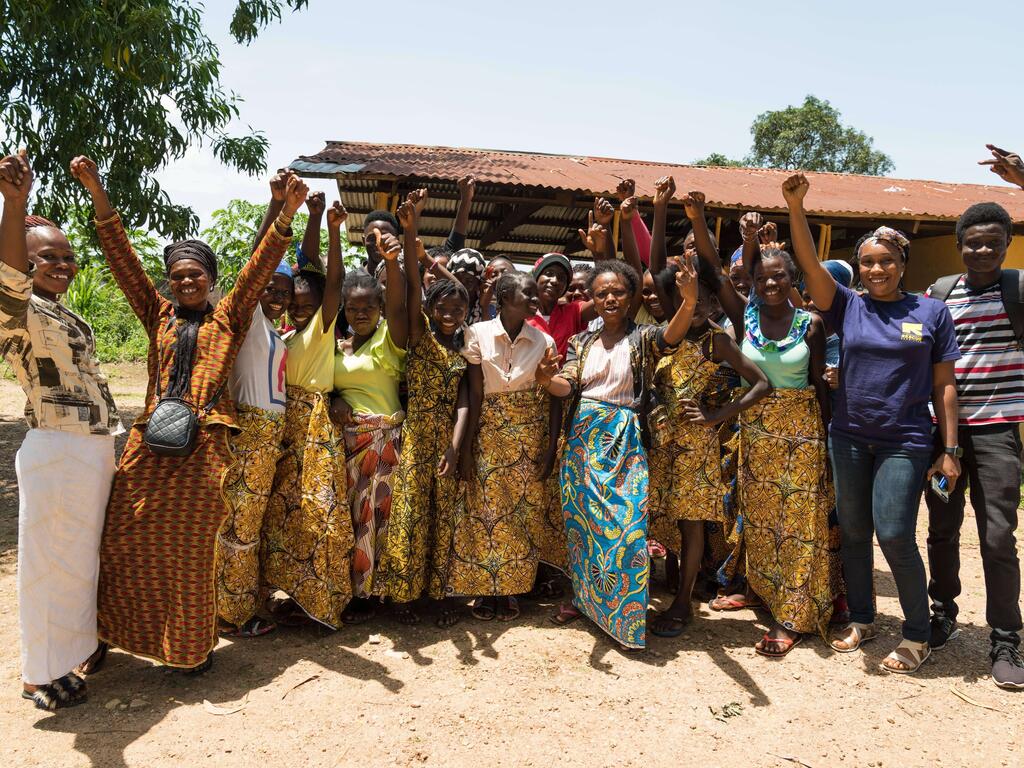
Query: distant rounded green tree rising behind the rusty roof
{"points": [[809, 138]]}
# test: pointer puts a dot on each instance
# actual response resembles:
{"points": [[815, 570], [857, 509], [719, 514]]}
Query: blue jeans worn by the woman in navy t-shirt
{"points": [[878, 491]]}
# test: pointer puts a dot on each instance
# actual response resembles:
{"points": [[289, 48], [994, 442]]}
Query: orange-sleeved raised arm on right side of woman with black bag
{"points": [[239, 306]]}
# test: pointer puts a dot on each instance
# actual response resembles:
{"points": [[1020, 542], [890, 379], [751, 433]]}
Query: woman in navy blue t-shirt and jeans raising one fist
{"points": [[898, 356]]}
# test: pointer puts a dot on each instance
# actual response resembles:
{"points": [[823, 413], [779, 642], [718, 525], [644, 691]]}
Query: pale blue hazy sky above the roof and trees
{"points": [[659, 81]]}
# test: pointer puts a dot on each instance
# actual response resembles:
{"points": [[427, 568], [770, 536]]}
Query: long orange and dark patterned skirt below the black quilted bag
{"points": [[157, 561]]}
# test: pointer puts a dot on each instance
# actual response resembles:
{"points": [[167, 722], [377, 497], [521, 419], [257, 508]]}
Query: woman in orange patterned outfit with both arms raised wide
{"points": [[157, 593]]}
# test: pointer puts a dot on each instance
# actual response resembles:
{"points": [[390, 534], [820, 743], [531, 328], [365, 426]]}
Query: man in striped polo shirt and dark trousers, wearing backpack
{"points": [[991, 392]]}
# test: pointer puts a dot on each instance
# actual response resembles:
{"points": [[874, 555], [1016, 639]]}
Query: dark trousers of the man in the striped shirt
{"points": [[992, 466]]}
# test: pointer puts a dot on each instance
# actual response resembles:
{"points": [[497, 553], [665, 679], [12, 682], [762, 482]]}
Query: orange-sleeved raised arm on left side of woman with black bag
{"points": [[143, 296]]}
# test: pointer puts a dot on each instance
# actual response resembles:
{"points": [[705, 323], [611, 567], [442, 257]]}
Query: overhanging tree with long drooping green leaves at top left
{"points": [[133, 84]]}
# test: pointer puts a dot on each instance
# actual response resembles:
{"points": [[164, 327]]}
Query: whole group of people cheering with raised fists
{"points": [[436, 426]]}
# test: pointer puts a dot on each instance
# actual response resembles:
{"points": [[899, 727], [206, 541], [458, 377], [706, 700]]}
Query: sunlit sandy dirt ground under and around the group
{"points": [[526, 694]]}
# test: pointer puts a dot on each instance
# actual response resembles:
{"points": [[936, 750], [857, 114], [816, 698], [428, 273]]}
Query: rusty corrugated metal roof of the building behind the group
{"points": [[832, 195]]}
